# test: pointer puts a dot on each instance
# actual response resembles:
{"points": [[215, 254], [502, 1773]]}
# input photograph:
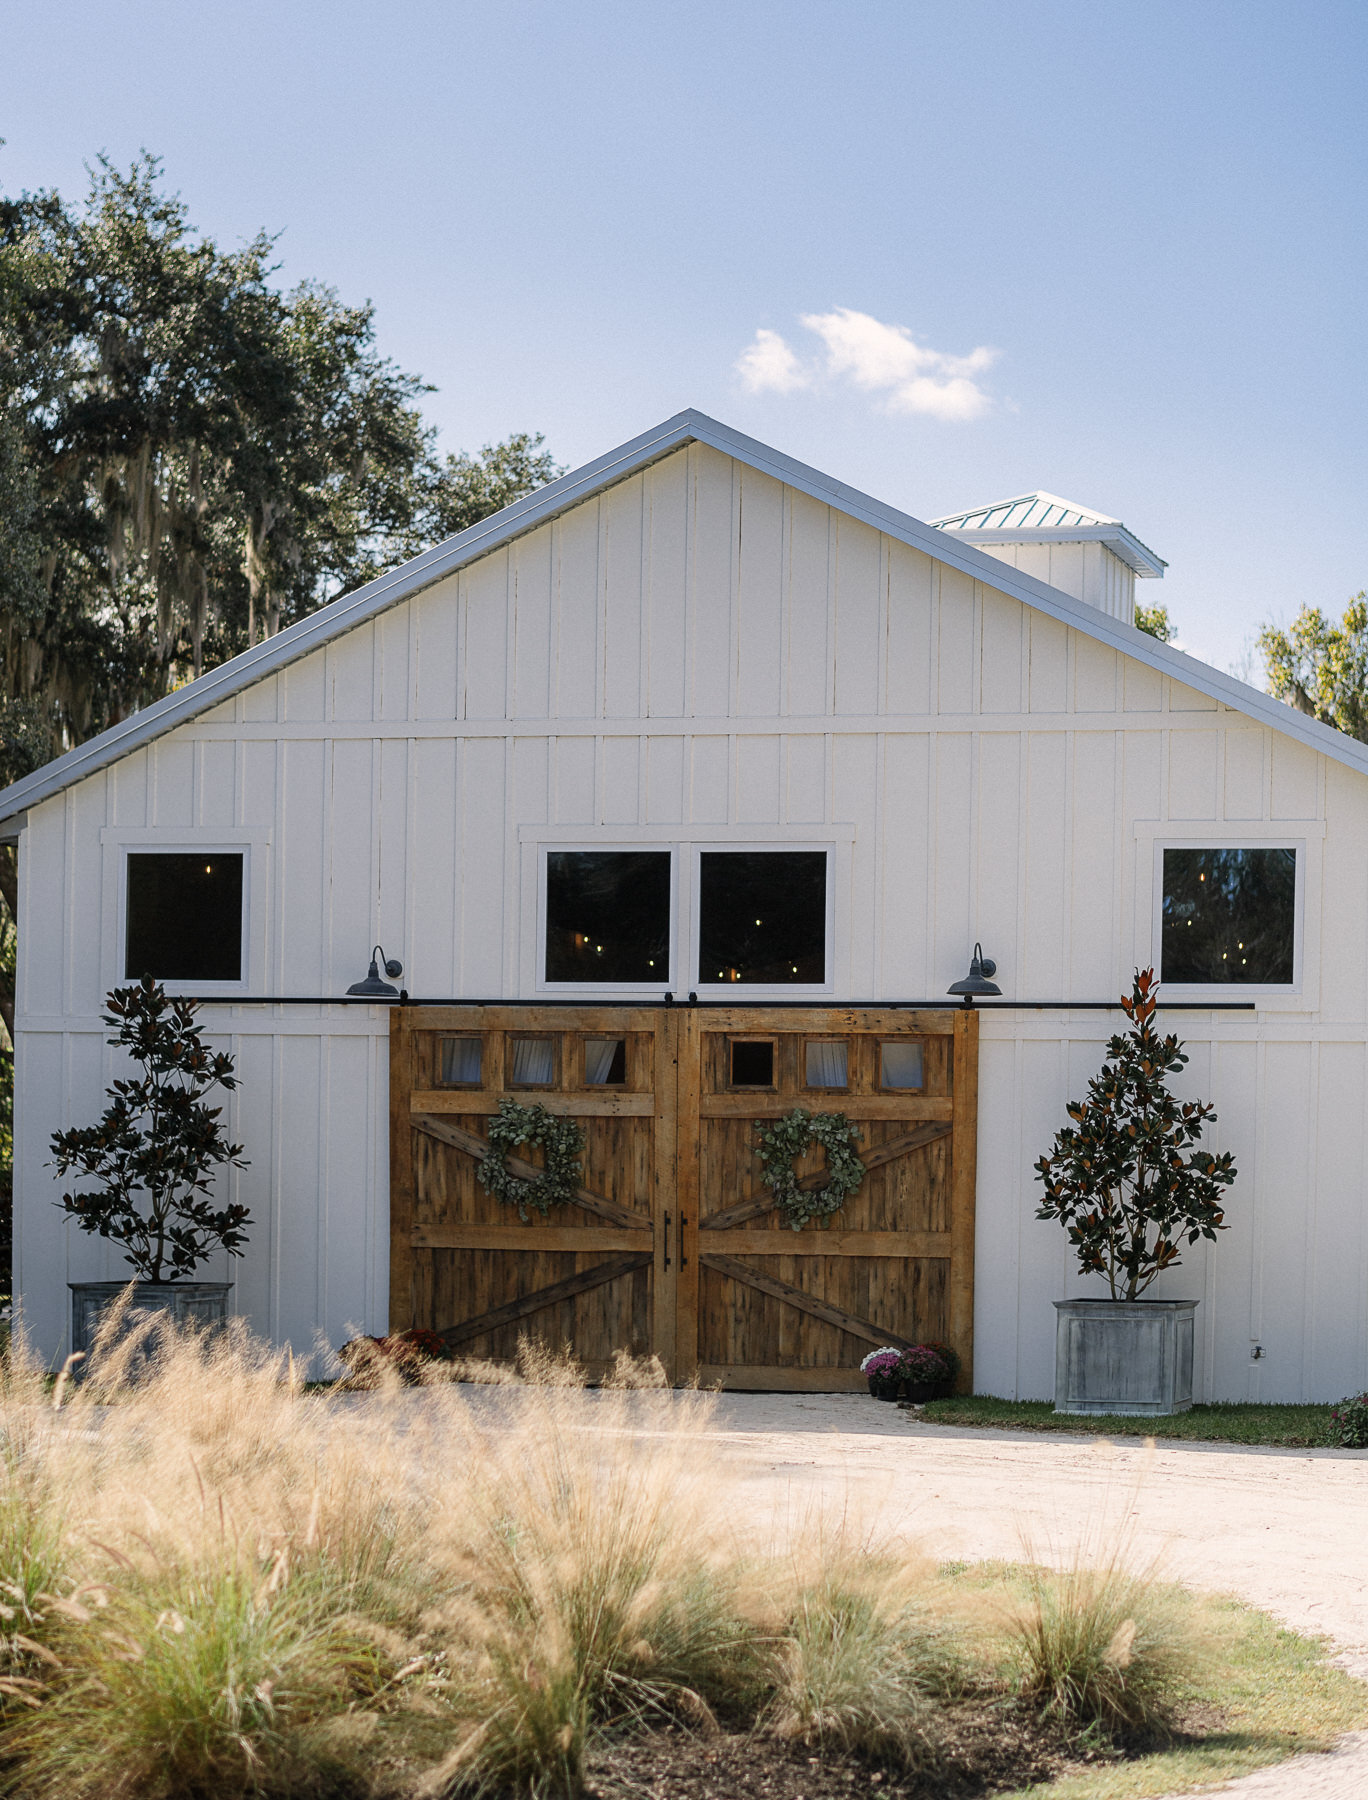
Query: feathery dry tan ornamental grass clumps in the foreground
{"points": [[215, 1583]]}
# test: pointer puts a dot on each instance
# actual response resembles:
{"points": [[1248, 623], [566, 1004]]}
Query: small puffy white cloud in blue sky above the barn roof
{"points": [[879, 359]]}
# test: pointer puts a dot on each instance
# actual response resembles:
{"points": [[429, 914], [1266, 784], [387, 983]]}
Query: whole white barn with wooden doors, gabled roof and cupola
{"points": [[665, 669]]}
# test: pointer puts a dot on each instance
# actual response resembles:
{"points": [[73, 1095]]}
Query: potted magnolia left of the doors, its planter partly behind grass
{"points": [[145, 1171]]}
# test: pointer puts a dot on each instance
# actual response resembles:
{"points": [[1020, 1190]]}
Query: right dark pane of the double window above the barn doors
{"points": [[762, 917]]}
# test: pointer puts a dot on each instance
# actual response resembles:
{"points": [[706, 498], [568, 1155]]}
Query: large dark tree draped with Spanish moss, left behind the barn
{"points": [[190, 462]]}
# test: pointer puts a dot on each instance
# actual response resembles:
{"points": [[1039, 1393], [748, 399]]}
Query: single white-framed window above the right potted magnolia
{"points": [[1228, 915]]}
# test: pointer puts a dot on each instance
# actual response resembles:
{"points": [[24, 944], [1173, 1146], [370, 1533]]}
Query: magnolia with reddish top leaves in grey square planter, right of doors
{"points": [[1131, 1185]]}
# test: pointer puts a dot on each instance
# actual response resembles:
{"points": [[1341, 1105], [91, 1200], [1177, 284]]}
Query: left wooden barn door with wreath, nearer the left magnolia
{"points": [[597, 1275]]}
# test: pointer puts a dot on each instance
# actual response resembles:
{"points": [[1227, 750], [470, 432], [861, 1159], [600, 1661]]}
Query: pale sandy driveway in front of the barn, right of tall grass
{"points": [[1282, 1529]]}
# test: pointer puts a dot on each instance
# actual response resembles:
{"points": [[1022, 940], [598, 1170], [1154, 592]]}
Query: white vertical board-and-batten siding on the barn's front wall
{"points": [[703, 651]]}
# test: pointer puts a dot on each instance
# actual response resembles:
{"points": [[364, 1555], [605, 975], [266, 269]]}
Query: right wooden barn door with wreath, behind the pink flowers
{"points": [[762, 1306]]}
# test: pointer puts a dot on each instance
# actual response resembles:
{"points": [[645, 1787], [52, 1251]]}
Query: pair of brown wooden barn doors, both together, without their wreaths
{"points": [[672, 1243]]}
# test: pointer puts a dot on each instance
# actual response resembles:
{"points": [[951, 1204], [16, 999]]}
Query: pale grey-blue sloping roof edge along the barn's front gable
{"points": [[582, 485]]}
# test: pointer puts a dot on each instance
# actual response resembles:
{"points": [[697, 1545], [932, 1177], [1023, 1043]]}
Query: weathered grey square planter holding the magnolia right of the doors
{"points": [[1124, 1356]]}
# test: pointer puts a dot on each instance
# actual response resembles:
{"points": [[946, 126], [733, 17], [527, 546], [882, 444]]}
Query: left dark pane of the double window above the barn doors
{"points": [[607, 917]]}
